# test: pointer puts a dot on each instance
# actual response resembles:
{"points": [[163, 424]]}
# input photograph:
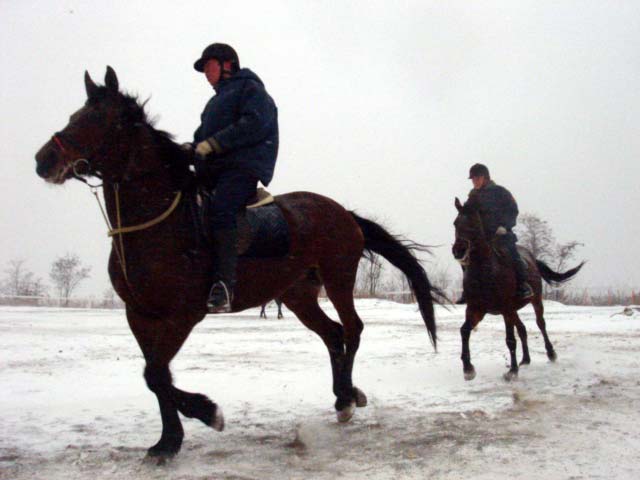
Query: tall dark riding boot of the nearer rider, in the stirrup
{"points": [[226, 253]]}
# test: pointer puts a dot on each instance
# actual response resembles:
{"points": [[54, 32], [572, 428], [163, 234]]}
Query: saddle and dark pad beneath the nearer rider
{"points": [[262, 229]]}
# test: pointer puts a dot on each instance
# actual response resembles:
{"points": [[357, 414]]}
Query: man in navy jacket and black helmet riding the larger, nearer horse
{"points": [[236, 146]]}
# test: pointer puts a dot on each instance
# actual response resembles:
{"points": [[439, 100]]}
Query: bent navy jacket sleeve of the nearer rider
{"points": [[257, 114]]}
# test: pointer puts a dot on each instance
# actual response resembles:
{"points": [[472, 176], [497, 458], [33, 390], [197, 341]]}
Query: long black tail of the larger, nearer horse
{"points": [[401, 254]]}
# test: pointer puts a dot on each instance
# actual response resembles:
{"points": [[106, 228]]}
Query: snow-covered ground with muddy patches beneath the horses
{"points": [[74, 405]]}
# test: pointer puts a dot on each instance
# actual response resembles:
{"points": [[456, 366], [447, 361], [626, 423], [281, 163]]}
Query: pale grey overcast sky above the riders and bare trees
{"points": [[383, 106]]}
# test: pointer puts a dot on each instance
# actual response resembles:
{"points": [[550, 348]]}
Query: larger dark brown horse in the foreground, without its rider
{"points": [[163, 273]]}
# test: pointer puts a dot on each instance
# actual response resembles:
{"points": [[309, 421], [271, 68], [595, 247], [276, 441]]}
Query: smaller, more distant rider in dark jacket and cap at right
{"points": [[498, 211]]}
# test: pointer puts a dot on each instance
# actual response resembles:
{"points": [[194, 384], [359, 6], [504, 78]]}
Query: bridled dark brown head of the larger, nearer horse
{"points": [[85, 146]]}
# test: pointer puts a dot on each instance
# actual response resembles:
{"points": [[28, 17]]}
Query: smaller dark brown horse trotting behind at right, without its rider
{"points": [[490, 287]]}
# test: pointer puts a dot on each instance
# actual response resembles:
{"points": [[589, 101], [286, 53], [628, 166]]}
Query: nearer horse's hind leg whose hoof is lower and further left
{"points": [[302, 300]]}
